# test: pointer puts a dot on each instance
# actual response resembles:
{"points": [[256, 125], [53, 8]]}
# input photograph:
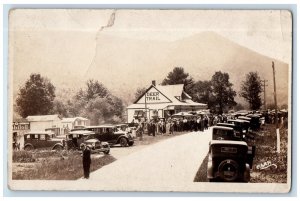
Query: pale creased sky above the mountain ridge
{"points": [[267, 32]]}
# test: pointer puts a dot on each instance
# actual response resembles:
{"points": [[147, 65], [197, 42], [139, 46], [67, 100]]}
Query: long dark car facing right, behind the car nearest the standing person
{"points": [[112, 135]]}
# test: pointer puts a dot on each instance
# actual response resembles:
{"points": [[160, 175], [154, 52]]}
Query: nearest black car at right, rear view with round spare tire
{"points": [[228, 161]]}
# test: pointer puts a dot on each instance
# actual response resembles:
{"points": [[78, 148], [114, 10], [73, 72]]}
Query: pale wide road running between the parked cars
{"points": [[160, 166]]}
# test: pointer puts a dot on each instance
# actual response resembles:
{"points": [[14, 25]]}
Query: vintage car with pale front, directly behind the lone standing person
{"points": [[75, 138]]}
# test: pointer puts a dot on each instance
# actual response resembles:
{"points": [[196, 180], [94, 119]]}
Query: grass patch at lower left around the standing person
{"points": [[55, 165]]}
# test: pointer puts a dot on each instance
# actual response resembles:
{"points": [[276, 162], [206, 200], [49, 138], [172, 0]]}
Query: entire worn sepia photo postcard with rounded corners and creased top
{"points": [[150, 100]]}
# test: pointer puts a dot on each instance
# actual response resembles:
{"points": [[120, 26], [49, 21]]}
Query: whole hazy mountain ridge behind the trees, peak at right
{"points": [[69, 58]]}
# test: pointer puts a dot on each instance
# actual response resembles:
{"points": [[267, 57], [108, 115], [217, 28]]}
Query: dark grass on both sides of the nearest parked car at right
{"points": [[265, 141]]}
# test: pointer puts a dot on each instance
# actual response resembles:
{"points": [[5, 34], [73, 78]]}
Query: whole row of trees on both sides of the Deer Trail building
{"points": [[37, 96]]}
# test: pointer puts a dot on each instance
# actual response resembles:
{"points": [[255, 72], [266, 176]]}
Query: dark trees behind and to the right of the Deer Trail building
{"points": [[217, 92]]}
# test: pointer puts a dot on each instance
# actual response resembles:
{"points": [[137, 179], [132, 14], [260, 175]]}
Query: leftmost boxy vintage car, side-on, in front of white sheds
{"points": [[42, 139]]}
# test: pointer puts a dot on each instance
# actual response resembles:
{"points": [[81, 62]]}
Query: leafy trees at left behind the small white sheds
{"points": [[95, 102]]}
